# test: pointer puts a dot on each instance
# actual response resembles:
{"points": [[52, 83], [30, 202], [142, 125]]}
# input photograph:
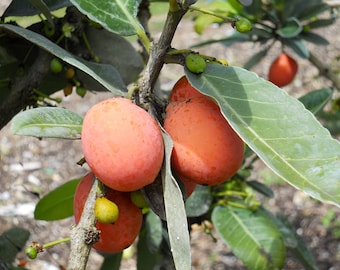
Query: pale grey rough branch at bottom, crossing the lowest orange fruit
{"points": [[84, 234]]}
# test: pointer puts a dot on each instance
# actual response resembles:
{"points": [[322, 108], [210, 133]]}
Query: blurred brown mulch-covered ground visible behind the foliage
{"points": [[29, 165]]}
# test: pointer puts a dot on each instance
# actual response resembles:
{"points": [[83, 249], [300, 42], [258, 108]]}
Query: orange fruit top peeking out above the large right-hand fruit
{"points": [[182, 90]]}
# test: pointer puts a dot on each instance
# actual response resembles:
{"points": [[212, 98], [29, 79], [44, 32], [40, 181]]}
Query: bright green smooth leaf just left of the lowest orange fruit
{"points": [[58, 204]]}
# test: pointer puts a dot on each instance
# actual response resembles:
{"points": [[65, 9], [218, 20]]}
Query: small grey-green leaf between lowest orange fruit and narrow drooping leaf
{"points": [[153, 231]]}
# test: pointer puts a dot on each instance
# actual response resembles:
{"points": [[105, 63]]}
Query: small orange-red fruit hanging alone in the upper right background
{"points": [[283, 70]]}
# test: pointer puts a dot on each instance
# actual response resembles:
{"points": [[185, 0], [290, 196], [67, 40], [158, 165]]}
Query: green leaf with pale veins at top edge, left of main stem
{"points": [[117, 16]]}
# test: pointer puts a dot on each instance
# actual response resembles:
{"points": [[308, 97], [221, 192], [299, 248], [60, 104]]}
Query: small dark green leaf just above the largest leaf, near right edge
{"points": [[316, 100]]}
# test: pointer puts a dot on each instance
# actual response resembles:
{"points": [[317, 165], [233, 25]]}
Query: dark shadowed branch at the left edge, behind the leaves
{"points": [[21, 93]]}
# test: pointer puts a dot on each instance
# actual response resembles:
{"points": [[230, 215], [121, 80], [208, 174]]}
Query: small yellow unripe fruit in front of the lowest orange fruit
{"points": [[106, 211]]}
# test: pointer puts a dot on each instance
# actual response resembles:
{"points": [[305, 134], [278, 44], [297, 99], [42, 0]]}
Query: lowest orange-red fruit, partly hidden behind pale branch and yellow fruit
{"points": [[119, 235]]}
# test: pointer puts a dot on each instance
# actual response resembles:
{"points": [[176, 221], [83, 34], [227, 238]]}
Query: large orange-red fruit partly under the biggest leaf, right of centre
{"points": [[206, 149]]}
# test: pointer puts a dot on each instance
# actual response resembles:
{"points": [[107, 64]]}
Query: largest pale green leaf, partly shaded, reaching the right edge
{"points": [[286, 136]]}
